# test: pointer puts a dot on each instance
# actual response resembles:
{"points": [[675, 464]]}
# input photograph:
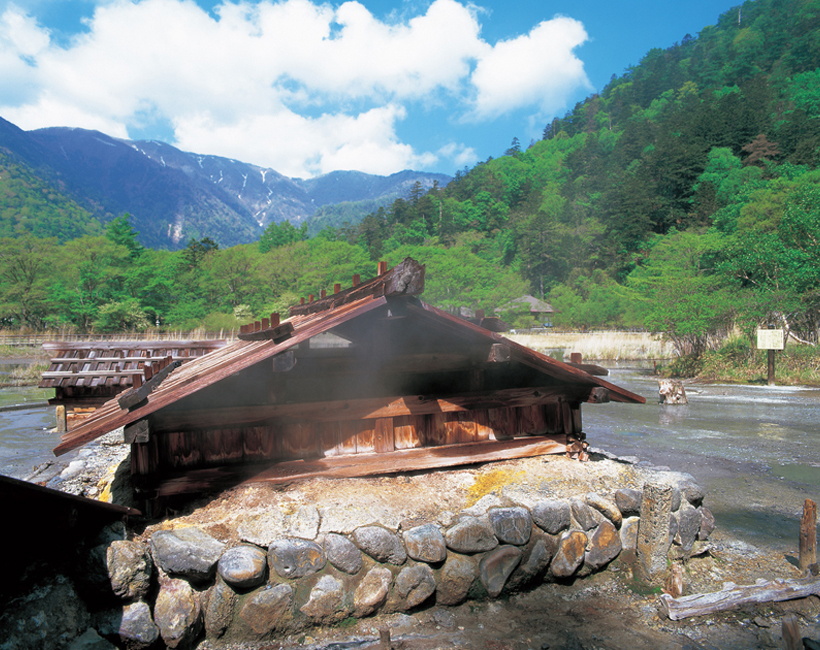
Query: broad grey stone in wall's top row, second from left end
{"points": [[186, 552]]}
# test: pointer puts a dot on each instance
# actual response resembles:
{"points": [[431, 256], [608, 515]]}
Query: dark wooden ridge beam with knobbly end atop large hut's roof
{"points": [[404, 279]]}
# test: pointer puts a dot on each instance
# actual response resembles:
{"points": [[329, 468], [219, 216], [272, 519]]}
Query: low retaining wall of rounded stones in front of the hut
{"points": [[183, 585]]}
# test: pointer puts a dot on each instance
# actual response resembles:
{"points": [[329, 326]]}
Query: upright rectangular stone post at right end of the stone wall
{"points": [[653, 531]]}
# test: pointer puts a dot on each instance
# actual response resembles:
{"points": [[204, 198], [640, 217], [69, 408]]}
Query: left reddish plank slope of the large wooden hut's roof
{"points": [[182, 385]]}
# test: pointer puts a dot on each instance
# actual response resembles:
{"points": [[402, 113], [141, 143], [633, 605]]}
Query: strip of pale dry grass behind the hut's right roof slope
{"points": [[598, 346]]}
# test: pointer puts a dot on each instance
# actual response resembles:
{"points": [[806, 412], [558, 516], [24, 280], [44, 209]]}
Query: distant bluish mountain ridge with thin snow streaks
{"points": [[174, 196]]}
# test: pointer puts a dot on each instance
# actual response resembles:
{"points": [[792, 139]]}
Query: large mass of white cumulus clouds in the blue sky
{"points": [[296, 85]]}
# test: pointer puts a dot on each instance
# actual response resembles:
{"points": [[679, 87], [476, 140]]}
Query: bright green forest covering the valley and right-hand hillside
{"points": [[684, 198]]}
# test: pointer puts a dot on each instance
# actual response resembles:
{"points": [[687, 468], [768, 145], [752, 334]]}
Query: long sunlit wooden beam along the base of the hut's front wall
{"points": [[350, 466]]}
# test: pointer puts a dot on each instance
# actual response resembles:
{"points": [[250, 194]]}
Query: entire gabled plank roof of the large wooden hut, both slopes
{"points": [[337, 313]]}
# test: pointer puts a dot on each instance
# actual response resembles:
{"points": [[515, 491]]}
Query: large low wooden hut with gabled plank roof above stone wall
{"points": [[365, 381]]}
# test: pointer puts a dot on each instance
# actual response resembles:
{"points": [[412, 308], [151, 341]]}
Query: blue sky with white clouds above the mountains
{"points": [[306, 87]]}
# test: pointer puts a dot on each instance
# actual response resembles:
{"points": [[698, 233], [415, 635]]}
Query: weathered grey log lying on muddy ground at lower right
{"points": [[733, 596]]}
